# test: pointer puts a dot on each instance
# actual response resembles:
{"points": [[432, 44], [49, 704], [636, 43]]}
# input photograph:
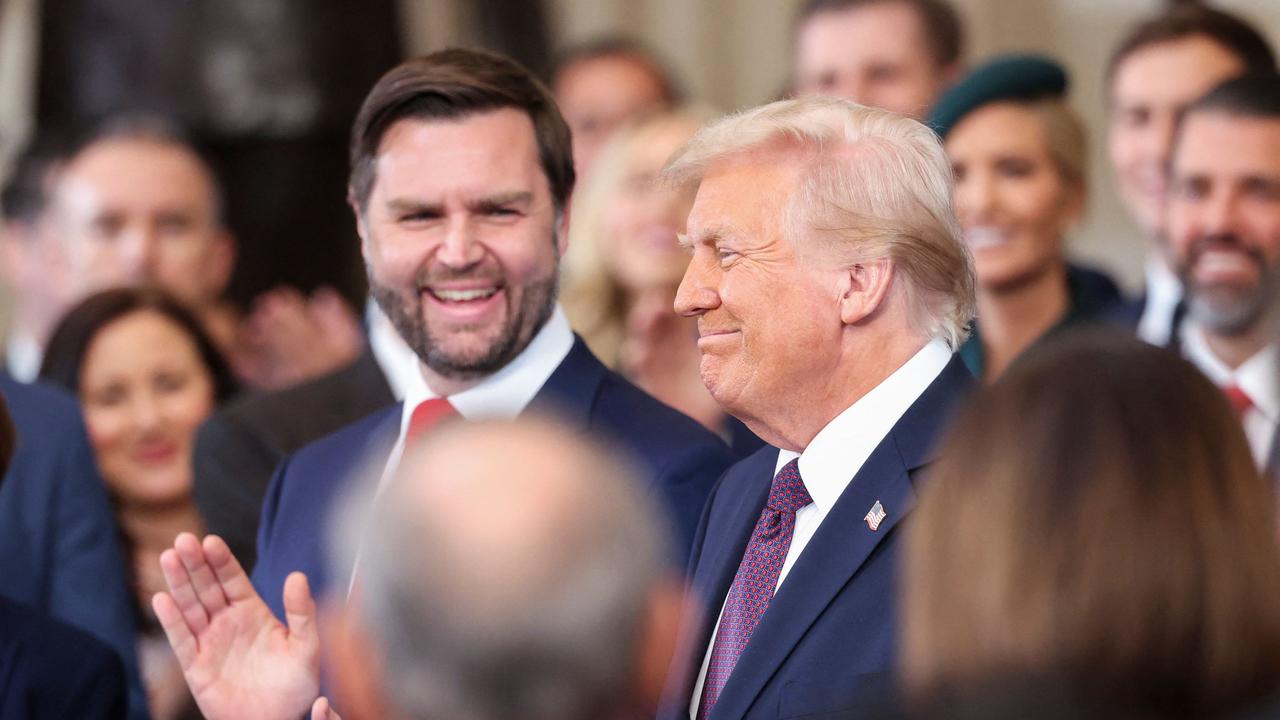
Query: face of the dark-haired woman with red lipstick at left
{"points": [[145, 391]]}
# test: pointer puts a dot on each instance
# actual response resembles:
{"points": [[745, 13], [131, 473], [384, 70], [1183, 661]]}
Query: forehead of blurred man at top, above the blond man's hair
{"points": [[862, 34]]}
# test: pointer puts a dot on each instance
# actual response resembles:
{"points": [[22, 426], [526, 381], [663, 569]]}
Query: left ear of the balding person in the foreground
{"points": [[358, 671]]}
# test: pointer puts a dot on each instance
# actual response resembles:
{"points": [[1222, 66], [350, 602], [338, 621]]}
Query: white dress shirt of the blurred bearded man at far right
{"points": [[1258, 377]]}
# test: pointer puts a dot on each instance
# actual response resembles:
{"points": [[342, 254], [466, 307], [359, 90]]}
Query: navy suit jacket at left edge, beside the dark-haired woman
{"points": [[61, 549]]}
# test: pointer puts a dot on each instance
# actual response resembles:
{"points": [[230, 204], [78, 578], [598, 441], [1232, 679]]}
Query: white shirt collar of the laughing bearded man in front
{"points": [[505, 394]]}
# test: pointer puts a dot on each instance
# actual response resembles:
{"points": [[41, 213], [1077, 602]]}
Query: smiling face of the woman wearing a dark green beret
{"points": [[1011, 198]]}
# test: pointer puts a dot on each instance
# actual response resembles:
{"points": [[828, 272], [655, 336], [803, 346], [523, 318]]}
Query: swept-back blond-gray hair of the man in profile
{"points": [[876, 186]]}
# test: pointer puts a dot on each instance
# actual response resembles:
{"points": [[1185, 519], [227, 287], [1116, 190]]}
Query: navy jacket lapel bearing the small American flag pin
{"points": [[844, 541]]}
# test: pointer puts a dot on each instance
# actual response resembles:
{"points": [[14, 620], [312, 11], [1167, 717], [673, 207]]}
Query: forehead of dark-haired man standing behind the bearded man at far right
{"points": [[1178, 70]]}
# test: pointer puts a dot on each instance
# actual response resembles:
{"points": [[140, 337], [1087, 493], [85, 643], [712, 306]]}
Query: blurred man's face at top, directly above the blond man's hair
{"points": [[875, 54]]}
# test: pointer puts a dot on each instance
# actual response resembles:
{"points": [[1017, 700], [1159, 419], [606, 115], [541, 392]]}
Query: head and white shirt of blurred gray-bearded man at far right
{"points": [[1224, 222]]}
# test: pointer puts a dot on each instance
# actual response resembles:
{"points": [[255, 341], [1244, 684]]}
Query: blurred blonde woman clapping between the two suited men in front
{"points": [[625, 262]]}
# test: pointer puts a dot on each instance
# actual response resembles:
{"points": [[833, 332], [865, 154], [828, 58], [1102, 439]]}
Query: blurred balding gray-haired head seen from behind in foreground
{"points": [[543, 595]]}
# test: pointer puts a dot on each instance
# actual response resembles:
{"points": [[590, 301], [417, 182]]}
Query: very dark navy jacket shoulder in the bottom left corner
{"points": [[51, 671]]}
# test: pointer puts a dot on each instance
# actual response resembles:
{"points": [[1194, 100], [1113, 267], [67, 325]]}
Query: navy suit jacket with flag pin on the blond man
{"points": [[828, 641]]}
